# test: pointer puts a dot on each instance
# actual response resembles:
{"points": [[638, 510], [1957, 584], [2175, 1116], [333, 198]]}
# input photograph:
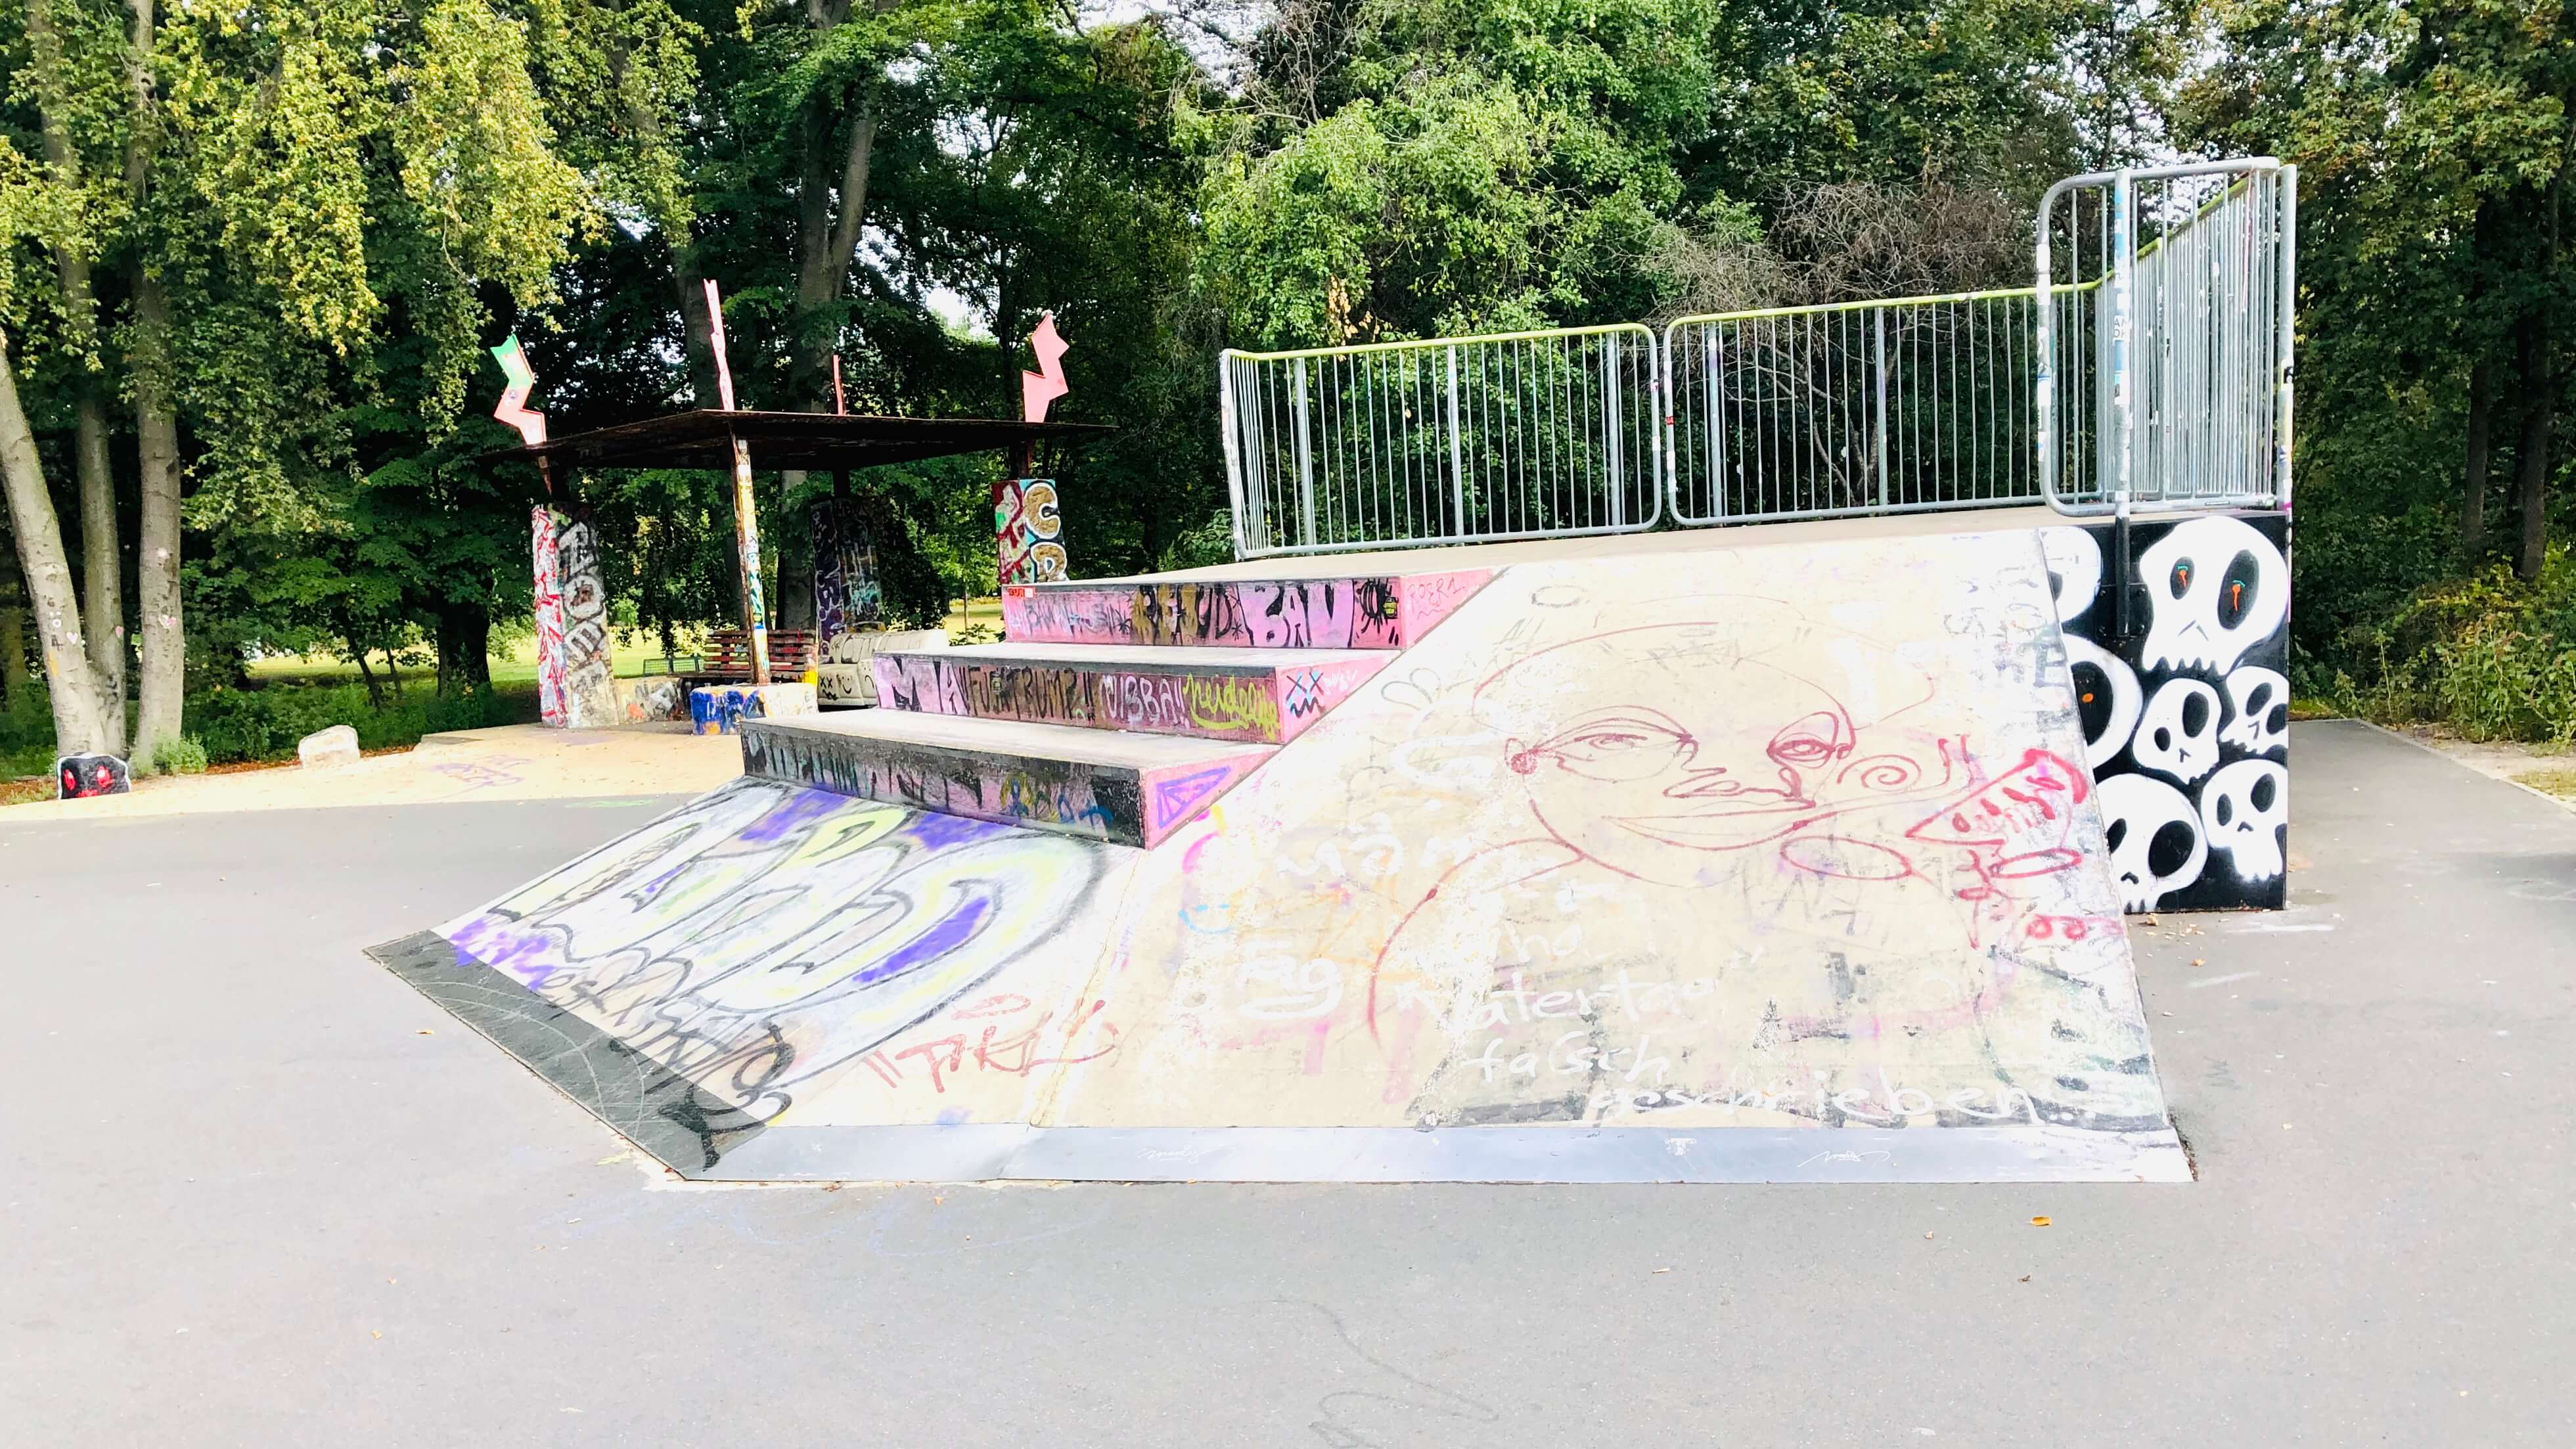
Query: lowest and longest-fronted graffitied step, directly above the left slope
{"points": [[1117, 786]]}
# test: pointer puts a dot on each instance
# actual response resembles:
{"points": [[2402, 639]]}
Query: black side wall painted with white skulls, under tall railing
{"points": [[2186, 727]]}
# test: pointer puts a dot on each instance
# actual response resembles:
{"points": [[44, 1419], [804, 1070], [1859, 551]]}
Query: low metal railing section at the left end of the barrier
{"points": [[1452, 441]]}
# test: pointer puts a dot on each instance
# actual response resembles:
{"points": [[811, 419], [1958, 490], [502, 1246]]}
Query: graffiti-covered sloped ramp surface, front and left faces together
{"points": [[1748, 866]]}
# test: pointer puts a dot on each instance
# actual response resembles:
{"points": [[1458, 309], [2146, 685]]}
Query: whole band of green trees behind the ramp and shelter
{"points": [[251, 259]]}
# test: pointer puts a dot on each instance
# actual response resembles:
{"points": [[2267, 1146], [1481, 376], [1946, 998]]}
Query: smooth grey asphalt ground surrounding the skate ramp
{"points": [[261, 1193]]}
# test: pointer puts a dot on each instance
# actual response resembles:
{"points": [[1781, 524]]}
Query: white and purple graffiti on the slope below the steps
{"points": [[764, 936]]}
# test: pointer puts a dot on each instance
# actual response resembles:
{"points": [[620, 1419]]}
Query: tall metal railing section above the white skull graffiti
{"points": [[2165, 367]]}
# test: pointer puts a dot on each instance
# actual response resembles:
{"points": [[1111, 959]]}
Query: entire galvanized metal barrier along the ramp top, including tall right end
{"points": [[2129, 377]]}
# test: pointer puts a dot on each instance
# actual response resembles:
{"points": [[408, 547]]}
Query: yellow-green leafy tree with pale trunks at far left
{"points": [[310, 215]]}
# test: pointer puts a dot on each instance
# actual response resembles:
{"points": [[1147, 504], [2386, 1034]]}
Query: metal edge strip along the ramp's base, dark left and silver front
{"points": [[707, 1141]]}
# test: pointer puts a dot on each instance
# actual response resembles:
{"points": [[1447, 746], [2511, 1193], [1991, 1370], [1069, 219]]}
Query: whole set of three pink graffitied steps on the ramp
{"points": [[1119, 709]]}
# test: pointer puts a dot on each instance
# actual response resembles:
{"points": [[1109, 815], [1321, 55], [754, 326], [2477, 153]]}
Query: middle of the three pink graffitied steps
{"points": [[1256, 696]]}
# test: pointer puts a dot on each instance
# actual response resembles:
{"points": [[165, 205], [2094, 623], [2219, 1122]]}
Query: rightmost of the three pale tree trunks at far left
{"points": [[156, 560]]}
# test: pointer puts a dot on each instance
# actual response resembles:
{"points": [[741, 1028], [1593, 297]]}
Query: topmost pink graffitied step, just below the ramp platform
{"points": [[1361, 611]]}
